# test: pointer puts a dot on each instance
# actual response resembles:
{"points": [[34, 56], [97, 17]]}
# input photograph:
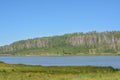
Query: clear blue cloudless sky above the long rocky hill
{"points": [[23, 19]]}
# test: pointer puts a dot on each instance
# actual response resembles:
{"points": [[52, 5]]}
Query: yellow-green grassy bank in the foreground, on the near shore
{"points": [[27, 72]]}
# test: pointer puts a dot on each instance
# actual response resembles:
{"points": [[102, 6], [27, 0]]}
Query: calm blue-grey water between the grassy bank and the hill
{"points": [[113, 61]]}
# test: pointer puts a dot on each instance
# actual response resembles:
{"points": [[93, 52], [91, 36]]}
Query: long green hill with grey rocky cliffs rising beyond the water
{"points": [[91, 43]]}
